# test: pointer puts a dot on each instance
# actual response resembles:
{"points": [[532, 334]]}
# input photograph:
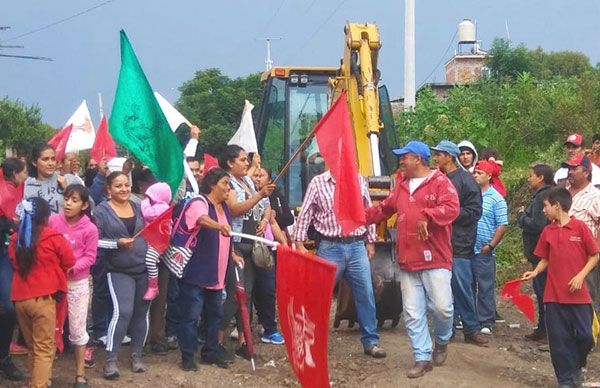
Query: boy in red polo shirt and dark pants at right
{"points": [[569, 251]]}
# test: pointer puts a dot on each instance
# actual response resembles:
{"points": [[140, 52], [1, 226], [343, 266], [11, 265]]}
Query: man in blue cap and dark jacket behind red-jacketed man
{"points": [[464, 232]]}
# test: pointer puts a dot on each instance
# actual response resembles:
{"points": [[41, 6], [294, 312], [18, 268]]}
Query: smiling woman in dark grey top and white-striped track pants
{"points": [[119, 220]]}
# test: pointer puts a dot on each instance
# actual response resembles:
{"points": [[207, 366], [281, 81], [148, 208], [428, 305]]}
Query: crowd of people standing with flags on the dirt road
{"points": [[73, 240]]}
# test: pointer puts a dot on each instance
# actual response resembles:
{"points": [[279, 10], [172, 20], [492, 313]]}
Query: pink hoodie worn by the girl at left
{"points": [[83, 239]]}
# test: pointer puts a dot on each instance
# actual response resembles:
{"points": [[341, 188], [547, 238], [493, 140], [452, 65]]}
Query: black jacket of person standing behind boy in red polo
{"points": [[533, 221]]}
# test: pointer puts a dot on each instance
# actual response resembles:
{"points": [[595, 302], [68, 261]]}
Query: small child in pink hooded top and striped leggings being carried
{"points": [[156, 202]]}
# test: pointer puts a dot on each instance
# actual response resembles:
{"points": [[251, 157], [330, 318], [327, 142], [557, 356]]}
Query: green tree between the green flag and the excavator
{"points": [[215, 103]]}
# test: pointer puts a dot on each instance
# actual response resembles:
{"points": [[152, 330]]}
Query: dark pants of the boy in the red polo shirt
{"points": [[569, 328]]}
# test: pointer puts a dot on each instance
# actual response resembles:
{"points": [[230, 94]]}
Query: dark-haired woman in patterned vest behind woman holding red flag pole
{"points": [[247, 207]]}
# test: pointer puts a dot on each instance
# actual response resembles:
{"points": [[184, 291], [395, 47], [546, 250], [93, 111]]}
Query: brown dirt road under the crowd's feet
{"points": [[510, 361]]}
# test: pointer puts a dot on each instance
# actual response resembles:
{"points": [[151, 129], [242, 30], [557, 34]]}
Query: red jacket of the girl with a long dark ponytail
{"points": [[48, 274]]}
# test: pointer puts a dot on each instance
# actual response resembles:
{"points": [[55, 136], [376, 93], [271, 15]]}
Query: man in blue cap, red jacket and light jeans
{"points": [[426, 203]]}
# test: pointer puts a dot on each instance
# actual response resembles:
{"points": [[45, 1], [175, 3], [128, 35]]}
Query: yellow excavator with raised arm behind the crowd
{"points": [[294, 100]]}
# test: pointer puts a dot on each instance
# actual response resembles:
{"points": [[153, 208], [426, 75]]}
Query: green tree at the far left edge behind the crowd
{"points": [[21, 126]]}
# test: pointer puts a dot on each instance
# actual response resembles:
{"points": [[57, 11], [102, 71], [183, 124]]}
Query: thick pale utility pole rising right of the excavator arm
{"points": [[409, 55]]}
